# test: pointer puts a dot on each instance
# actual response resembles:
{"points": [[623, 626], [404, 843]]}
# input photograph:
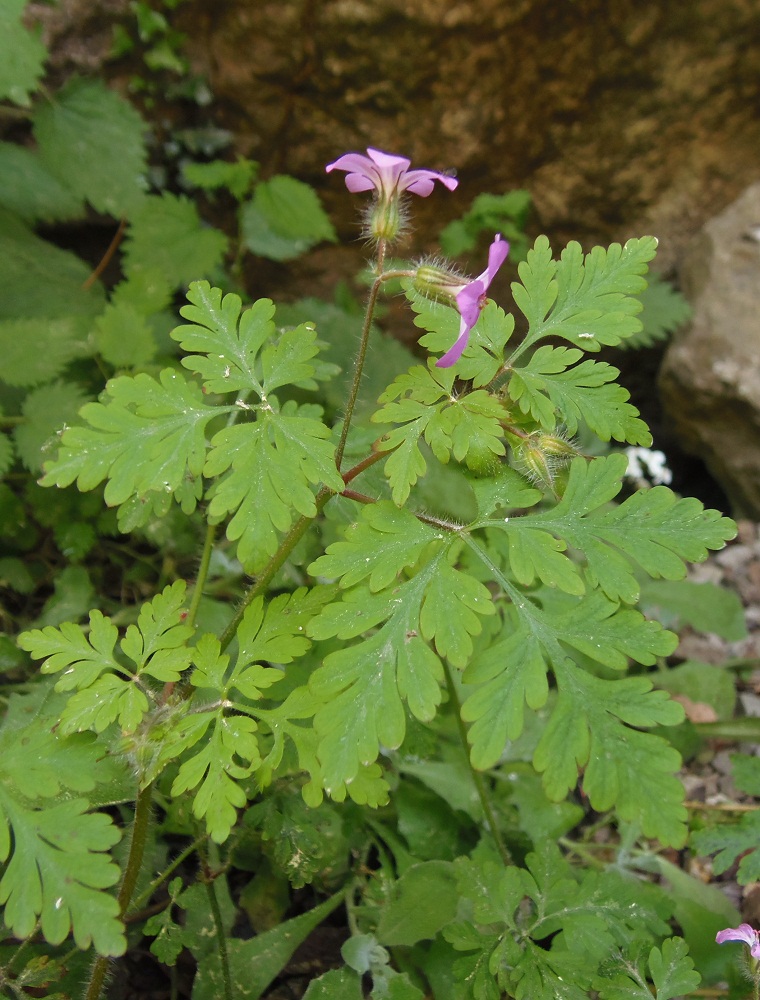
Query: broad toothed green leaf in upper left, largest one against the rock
{"points": [[92, 140]]}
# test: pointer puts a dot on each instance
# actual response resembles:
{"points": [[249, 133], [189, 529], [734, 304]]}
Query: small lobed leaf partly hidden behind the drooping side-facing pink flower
{"points": [[483, 357]]}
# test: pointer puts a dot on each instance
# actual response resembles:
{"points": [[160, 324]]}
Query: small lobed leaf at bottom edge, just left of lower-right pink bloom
{"points": [[670, 969]]}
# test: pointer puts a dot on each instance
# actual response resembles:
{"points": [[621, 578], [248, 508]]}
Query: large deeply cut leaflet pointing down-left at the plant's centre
{"points": [[362, 687]]}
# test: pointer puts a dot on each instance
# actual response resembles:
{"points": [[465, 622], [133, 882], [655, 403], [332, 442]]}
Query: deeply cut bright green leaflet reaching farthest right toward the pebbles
{"points": [[653, 528]]}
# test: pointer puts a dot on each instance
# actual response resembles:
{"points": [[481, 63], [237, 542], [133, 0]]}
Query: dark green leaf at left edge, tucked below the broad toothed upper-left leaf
{"points": [[30, 190]]}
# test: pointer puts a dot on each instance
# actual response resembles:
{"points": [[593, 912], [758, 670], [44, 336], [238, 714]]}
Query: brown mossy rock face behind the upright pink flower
{"points": [[620, 118]]}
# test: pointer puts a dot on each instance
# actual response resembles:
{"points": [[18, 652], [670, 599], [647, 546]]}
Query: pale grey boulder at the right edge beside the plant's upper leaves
{"points": [[710, 379]]}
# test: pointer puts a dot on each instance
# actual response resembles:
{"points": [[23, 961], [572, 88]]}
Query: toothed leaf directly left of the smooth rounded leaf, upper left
{"points": [[166, 236]]}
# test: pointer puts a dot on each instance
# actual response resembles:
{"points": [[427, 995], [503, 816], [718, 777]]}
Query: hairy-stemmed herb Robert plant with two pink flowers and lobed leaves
{"points": [[440, 633]]}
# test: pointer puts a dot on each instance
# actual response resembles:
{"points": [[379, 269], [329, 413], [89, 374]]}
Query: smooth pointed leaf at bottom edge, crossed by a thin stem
{"points": [[256, 962]]}
